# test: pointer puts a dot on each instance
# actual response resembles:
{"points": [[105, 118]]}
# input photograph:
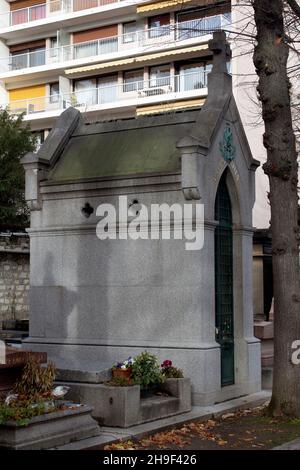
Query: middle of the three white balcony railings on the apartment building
{"points": [[163, 36]]}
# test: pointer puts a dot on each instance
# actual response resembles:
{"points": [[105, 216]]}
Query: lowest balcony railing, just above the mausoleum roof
{"points": [[165, 88]]}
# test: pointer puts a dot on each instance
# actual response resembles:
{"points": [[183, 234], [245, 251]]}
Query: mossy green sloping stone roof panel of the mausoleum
{"points": [[145, 145]]}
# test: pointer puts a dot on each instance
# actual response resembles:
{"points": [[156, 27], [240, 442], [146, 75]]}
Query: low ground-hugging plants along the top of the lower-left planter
{"points": [[22, 411]]}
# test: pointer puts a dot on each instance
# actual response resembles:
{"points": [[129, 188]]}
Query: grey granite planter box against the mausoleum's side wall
{"points": [[123, 406]]}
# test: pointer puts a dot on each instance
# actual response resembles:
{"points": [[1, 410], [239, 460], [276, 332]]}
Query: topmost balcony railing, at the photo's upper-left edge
{"points": [[54, 8]]}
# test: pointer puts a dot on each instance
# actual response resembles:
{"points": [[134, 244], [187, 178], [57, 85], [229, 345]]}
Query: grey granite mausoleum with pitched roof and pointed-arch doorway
{"points": [[92, 301]]}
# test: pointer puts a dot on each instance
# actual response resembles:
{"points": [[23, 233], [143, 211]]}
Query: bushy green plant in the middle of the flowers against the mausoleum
{"points": [[146, 370]]}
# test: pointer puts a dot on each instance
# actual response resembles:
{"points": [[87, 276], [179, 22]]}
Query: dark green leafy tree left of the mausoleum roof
{"points": [[16, 140]]}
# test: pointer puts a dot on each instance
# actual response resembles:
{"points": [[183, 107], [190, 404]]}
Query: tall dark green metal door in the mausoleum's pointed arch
{"points": [[224, 282]]}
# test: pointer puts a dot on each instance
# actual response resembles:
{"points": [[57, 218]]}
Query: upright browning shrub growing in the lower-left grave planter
{"points": [[36, 381]]}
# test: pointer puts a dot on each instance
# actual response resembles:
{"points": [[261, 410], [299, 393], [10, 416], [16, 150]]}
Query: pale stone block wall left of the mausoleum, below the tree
{"points": [[14, 276]]}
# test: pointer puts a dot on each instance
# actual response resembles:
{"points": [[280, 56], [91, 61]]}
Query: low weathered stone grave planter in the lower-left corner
{"points": [[49, 430]]}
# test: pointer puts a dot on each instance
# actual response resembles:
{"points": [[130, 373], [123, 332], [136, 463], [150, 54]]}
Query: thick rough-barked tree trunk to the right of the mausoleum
{"points": [[270, 59]]}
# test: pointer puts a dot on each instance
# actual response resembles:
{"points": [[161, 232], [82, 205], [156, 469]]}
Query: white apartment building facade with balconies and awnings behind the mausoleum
{"points": [[109, 58]]}
